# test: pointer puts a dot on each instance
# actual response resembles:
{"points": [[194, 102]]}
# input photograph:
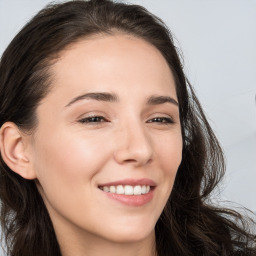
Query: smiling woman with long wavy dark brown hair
{"points": [[104, 146]]}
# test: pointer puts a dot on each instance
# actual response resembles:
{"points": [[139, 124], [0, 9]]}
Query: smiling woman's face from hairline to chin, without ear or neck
{"points": [[108, 142]]}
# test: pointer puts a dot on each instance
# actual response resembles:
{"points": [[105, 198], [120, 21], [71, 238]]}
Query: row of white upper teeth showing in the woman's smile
{"points": [[127, 189]]}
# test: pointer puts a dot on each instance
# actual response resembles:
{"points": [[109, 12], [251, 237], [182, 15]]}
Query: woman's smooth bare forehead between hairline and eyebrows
{"points": [[118, 62]]}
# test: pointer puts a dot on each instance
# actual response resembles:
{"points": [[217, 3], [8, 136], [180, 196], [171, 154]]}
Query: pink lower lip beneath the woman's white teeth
{"points": [[131, 200]]}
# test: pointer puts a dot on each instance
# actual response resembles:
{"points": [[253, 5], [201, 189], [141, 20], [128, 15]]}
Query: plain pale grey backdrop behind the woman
{"points": [[217, 39]]}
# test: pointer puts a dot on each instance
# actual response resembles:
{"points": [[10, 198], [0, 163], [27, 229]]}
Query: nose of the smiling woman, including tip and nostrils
{"points": [[133, 146]]}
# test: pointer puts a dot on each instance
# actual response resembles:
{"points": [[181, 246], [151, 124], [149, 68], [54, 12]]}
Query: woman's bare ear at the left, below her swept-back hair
{"points": [[14, 150]]}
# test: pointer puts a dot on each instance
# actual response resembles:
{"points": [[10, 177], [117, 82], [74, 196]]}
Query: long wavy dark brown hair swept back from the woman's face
{"points": [[189, 224]]}
